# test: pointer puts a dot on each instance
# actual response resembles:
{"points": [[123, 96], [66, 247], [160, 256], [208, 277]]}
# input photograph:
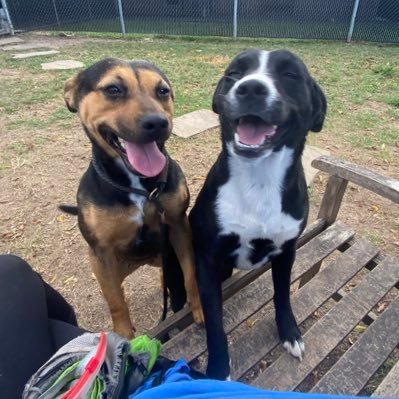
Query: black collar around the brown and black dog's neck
{"points": [[152, 196]]}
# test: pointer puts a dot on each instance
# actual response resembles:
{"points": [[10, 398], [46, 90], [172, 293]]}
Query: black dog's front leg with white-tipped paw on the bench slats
{"points": [[288, 330]]}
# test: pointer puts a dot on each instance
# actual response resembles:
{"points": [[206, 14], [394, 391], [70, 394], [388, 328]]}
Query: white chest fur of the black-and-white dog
{"points": [[249, 205]]}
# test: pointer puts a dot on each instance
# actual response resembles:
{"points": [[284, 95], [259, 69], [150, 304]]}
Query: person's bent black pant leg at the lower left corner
{"points": [[26, 340]]}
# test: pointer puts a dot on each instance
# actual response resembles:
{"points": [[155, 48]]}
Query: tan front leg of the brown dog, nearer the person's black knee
{"points": [[106, 270]]}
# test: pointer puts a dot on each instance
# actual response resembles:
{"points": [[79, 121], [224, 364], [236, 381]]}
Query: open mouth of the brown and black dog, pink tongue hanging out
{"points": [[143, 158]]}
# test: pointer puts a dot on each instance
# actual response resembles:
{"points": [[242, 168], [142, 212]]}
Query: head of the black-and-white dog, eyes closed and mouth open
{"points": [[266, 100]]}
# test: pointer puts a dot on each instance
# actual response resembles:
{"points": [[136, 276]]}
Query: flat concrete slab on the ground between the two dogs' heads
{"points": [[195, 122]]}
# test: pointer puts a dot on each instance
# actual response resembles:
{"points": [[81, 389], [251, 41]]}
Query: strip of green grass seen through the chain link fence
{"points": [[273, 27]]}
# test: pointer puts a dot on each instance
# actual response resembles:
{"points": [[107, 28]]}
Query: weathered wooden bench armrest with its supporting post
{"points": [[341, 172]]}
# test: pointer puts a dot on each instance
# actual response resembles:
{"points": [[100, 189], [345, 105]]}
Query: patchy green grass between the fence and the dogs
{"points": [[360, 80]]}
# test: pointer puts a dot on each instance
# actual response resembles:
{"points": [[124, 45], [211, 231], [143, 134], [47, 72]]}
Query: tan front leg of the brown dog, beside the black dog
{"points": [[180, 238]]}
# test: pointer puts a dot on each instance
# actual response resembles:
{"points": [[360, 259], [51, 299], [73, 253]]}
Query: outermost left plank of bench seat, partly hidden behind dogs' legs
{"points": [[183, 318]]}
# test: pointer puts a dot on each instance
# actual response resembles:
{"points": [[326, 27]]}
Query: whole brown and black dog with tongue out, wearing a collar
{"points": [[132, 200]]}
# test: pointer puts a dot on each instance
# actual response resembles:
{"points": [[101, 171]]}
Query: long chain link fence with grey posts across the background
{"points": [[368, 20]]}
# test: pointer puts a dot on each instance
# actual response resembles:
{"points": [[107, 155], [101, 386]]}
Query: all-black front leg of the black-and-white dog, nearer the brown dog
{"points": [[211, 297]]}
